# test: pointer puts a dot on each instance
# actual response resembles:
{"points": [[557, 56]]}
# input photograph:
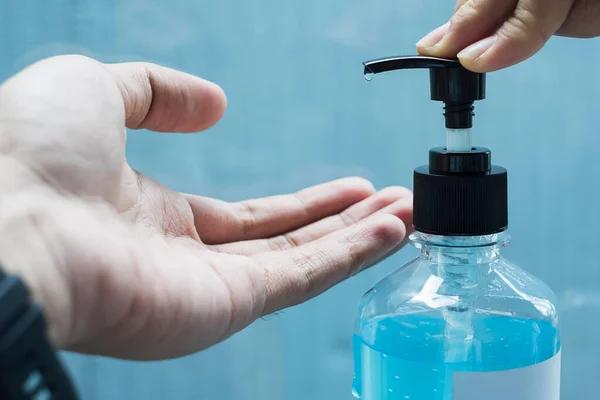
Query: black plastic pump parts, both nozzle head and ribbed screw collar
{"points": [[459, 192]]}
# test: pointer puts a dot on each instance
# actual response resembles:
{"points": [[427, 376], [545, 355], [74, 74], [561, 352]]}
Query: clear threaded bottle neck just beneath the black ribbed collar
{"points": [[460, 250]]}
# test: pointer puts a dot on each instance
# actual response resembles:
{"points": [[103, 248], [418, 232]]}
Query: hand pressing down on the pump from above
{"points": [[488, 35]]}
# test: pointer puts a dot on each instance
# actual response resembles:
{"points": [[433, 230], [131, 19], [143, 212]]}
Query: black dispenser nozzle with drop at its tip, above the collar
{"points": [[451, 83]]}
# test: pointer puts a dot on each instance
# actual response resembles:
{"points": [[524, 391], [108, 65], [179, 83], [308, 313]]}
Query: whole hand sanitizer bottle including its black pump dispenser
{"points": [[459, 322]]}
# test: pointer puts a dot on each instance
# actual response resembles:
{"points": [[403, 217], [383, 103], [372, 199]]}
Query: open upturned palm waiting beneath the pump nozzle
{"points": [[126, 267]]}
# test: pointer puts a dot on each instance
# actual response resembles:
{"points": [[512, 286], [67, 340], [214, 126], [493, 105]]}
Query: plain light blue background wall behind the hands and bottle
{"points": [[300, 113]]}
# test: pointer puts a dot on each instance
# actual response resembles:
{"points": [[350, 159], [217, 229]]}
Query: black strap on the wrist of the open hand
{"points": [[29, 366]]}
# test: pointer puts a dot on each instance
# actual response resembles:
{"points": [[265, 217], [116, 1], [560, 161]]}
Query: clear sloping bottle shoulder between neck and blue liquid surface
{"points": [[495, 288]]}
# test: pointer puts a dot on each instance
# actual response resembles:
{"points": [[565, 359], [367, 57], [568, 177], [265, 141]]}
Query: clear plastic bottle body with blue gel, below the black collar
{"points": [[439, 327]]}
